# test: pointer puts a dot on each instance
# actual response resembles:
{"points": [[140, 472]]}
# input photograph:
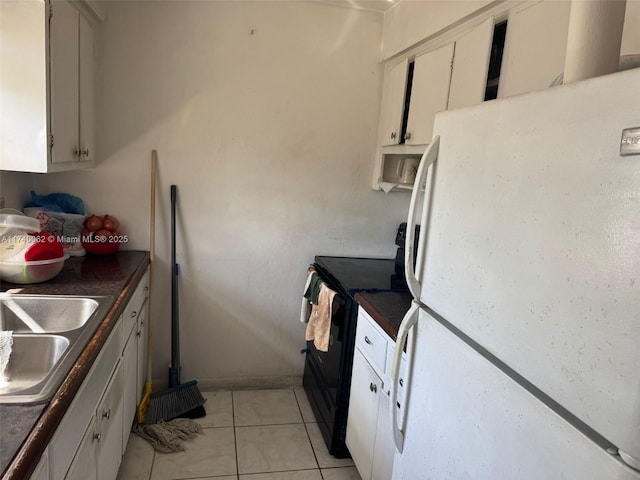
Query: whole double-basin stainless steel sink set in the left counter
{"points": [[50, 332]]}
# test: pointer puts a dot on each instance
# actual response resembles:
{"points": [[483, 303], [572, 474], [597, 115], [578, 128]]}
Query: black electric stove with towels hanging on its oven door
{"points": [[327, 375]]}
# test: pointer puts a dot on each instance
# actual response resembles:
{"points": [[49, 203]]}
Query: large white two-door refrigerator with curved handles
{"points": [[524, 335]]}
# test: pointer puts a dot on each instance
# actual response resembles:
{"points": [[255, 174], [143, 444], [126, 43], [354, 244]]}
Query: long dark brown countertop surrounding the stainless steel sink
{"points": [[26, 429]]}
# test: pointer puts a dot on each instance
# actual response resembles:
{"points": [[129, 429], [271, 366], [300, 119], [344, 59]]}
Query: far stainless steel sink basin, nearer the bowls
{"points": [[45, 314]]}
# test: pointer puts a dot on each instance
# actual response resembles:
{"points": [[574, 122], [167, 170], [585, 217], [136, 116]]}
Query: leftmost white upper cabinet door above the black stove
{"points": [[392, 108]]}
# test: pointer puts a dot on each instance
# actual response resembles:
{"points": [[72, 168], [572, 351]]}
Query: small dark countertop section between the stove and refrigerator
{"points": [[386, 308]]}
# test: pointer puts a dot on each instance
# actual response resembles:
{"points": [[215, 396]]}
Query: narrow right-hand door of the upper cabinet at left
{"points": [[86, 95]]}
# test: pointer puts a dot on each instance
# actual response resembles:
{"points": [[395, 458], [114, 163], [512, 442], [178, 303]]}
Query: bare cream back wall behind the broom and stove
{"points": [[265, 115]]}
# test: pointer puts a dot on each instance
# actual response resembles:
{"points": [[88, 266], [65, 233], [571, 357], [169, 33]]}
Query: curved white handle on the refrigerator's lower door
{"points": [[408, 322]]}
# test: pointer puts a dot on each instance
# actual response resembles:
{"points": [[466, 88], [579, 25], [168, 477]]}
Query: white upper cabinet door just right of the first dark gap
{"points": [[429, 93]]}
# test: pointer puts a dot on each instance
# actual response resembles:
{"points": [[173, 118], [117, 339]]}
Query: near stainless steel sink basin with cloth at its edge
{"points": [[27, 369]]}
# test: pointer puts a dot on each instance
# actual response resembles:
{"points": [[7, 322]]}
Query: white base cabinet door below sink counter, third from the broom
{"points": [[109, 421]]}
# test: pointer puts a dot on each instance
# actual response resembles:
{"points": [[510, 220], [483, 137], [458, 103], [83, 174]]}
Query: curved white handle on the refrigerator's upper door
{"points": [[414, 276]]}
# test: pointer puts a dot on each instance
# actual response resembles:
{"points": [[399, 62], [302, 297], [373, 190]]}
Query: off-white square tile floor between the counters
{"points": [[247, 435]]}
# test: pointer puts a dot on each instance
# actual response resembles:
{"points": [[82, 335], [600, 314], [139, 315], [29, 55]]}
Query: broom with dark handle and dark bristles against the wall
{"points": [[180, 399]]}
